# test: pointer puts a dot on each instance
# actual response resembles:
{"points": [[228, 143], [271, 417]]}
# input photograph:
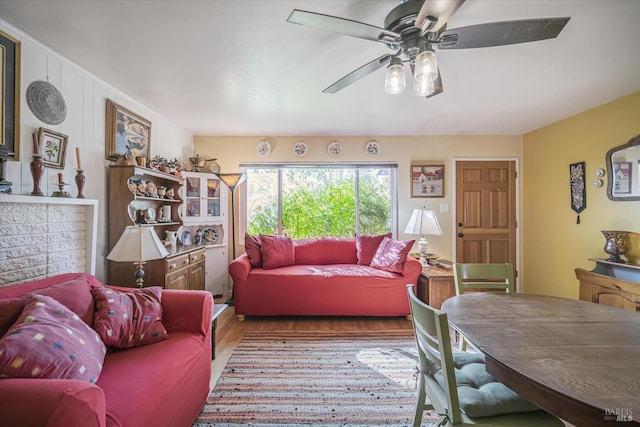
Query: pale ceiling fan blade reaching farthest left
{"points": [[344, 26]]}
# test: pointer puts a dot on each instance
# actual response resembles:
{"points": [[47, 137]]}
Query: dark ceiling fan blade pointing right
{"points": [[502, 33]]}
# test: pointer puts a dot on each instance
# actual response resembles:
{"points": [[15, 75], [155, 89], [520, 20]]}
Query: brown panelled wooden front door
{"points": [[486, 212]]}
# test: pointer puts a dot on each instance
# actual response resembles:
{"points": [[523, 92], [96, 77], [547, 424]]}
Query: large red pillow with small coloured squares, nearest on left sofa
{"points": [[50, 341]]}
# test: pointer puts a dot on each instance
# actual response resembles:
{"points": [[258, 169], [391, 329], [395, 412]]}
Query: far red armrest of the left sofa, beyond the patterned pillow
{"points": [[187, 311]]}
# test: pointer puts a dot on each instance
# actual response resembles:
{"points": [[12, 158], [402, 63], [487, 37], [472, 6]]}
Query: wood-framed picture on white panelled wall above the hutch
{"points": [[126, 132]]}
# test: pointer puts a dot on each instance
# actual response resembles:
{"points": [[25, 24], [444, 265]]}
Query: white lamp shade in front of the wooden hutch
{"points": [[138, 244]]}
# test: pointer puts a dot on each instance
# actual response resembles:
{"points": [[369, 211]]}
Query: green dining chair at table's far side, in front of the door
{"points": [[482, 276]]}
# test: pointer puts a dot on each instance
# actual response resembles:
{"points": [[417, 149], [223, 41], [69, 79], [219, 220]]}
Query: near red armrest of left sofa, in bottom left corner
{"points": [[44, 402]]}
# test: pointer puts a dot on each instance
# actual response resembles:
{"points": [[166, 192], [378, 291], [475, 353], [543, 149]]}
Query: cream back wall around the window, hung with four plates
{"points": [[233, 150]]}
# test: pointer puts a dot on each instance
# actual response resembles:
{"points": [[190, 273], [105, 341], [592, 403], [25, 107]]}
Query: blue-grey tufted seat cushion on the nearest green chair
{"points": [[480, 394]]}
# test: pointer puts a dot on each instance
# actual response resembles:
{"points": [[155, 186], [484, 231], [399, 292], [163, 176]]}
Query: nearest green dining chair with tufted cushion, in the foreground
{"points": [[457, 386]]}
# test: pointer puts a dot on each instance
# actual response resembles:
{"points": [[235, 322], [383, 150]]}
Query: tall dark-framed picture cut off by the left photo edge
{"points": [[9, 97]]}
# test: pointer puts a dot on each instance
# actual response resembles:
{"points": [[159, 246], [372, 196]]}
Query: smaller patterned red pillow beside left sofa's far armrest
{"points": [[128, 319]]}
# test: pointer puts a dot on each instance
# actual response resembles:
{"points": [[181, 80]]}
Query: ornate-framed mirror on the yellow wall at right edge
{"points": [[623, 171]]}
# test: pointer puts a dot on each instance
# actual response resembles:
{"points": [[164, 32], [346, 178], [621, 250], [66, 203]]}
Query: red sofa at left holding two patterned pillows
{"points": [[161, 384]]}
